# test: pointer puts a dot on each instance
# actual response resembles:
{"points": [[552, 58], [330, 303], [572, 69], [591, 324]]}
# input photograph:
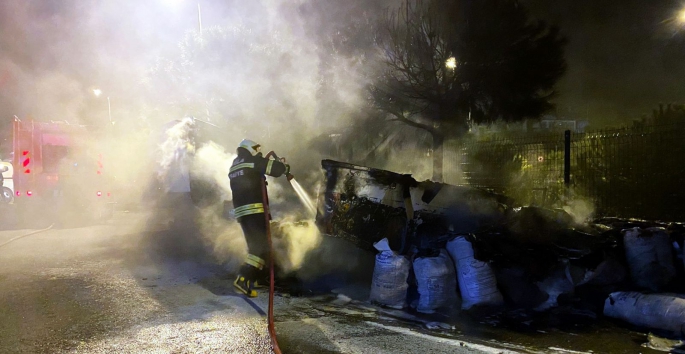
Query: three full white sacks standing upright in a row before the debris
{"points": [[443, 281]]}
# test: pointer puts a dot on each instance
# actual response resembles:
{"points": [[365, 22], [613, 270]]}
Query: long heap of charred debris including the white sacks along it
{"points": [[443, 248]]}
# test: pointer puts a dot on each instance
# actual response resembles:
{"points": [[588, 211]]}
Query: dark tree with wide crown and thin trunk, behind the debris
{"points": [[446, 64]]}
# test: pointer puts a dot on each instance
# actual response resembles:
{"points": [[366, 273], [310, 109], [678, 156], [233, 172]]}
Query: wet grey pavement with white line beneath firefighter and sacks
{"points": [[92, 290]]}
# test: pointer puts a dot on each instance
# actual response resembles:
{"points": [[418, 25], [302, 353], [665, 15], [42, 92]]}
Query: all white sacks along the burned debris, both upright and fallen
{"points": [[455, 278]]}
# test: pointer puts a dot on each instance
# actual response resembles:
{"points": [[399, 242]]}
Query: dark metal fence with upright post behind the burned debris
{"points": [[630, 172]]}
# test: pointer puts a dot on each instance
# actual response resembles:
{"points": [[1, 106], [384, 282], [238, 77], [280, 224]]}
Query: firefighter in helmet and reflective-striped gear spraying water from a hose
{"points": [[248, 184]]}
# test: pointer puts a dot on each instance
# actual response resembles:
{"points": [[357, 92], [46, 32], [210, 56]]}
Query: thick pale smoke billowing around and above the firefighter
{"points": [[272, 71]]}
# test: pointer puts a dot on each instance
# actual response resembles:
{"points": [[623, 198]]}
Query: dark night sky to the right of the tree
{"points": [[624, 57]]}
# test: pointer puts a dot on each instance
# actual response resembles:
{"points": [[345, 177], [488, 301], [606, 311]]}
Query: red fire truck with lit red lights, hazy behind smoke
{"points": [[60, 170]]}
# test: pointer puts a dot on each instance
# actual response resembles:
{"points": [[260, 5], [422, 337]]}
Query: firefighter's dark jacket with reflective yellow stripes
{"points": [[246, 175]]}
